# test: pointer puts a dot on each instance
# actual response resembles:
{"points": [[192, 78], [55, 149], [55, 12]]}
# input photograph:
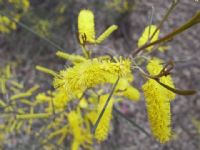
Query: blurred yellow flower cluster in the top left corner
{"points": [[18, 8]]}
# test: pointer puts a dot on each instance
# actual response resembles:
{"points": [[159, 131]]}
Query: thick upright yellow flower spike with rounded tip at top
{"points": [[86, 26]]}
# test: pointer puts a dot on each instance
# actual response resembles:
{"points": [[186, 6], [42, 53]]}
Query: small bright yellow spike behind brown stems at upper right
{"points": [[147, 33]]}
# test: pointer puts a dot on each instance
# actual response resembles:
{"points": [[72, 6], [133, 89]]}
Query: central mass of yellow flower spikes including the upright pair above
{"points": [[84, 76]]}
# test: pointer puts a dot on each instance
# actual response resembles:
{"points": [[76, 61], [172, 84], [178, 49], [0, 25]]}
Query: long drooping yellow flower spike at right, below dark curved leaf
{"points": [[158, 108]]}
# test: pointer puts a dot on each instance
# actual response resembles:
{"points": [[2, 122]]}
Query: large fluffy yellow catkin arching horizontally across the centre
{"points": [[77, 79]]}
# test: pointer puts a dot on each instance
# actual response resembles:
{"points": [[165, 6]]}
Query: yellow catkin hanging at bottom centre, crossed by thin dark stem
{"points": [[103, 127]]}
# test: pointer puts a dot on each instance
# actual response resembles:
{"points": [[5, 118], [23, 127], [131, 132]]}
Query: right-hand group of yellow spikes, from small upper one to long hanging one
{"points": [[157, 97]]}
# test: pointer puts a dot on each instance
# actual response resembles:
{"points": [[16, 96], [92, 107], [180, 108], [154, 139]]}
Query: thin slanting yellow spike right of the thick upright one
{"points": [[106, 33]]}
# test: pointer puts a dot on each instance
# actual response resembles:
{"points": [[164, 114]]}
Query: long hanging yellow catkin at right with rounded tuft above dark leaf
{"points": [[158, 103]]}
